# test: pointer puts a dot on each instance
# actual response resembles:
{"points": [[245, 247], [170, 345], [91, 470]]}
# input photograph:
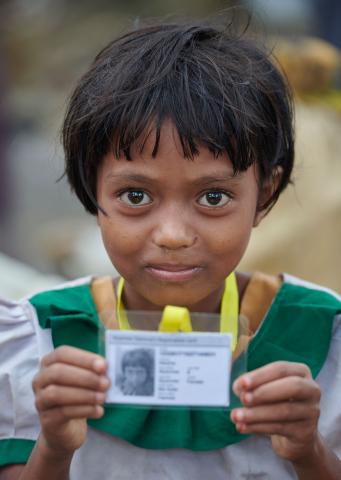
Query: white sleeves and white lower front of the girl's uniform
{"points": [[23, 343]]}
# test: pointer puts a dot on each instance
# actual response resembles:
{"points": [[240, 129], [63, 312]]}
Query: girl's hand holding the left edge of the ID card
{"points": [[69, 388]]}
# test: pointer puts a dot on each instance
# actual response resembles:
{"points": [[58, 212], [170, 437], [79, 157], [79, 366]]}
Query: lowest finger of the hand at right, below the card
{"points": [[298, 429]]}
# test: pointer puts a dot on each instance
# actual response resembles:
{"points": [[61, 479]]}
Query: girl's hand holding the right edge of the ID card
{"points": [[281, 400]]}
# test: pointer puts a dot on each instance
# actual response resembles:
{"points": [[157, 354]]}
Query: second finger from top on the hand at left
{"points": [[68, 375]]}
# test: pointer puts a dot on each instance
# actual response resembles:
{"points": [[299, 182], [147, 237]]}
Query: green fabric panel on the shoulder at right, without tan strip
{"points": [[297, 328]]}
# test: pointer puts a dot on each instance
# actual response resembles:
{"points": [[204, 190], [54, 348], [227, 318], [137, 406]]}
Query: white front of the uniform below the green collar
{"points": [[113, 459]]}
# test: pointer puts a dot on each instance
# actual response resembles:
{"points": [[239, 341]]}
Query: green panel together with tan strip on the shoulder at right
{"points": [[294, 321]]}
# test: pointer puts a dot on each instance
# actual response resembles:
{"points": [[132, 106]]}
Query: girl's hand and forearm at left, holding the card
{"points": [[69, 388]]}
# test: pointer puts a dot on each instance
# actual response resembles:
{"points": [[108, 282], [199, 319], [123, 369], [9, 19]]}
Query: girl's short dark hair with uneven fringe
{"points": [[219, 89]]}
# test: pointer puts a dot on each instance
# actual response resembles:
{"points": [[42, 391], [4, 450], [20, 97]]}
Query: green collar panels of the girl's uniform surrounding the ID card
{"points": [[297, 328]]}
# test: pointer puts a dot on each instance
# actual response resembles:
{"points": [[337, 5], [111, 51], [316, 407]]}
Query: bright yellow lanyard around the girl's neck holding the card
{"points": [[177, 319]]}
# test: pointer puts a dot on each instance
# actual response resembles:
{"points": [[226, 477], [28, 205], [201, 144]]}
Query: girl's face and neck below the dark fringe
{"points": [[175, 228]]}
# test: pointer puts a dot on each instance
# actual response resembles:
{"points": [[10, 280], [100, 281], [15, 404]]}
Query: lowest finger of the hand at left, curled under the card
{"points": [[58, 415]]}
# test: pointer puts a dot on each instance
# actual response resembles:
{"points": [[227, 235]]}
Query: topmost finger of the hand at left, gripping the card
{"points": [[77, 357]]}
